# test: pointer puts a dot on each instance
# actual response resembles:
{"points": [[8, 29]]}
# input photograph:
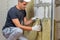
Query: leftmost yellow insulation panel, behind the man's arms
{"points": [[31, 35]]}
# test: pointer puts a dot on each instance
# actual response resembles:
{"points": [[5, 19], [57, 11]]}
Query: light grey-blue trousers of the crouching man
{"points": [[13, 33]]}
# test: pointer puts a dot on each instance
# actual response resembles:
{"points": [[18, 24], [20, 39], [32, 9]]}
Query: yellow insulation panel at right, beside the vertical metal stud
{"points": [[46, 26]]}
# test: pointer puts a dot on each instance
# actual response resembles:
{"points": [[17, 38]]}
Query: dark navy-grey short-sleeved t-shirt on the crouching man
{"points": [[14, 13]]}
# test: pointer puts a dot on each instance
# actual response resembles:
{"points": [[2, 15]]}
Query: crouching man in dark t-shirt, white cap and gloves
{"points": [[16, 16]]}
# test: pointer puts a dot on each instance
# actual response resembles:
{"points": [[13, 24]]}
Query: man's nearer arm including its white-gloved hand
{"points": [[28, 28]]}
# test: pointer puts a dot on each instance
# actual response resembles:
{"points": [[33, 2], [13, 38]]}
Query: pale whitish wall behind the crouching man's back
{"points": [[4, 7]]}
